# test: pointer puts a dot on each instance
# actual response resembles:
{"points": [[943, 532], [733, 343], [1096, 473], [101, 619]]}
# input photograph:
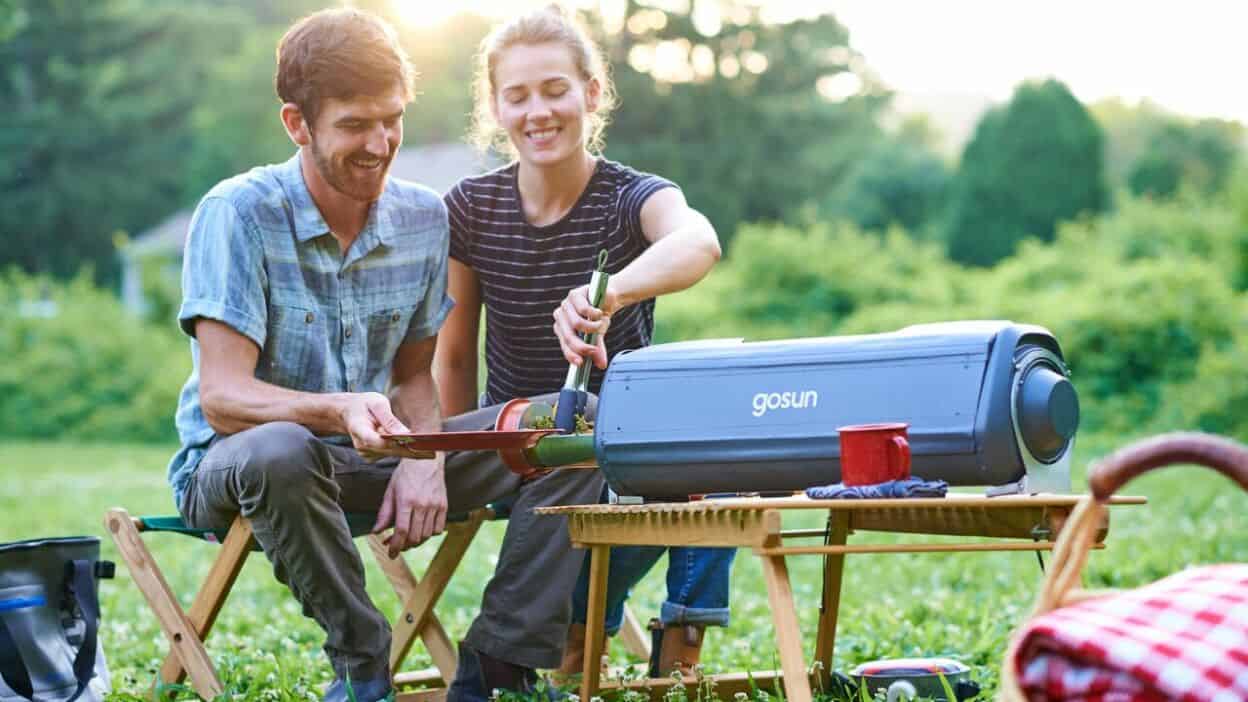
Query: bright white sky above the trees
{"points": [[1187, 57]]}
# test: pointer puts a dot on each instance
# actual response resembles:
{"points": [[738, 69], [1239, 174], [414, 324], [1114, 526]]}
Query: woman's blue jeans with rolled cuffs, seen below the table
{"points": [[697, 585]]}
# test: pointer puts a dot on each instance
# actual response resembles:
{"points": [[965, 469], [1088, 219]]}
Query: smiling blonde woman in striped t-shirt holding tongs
{"points": [[524, 243]]}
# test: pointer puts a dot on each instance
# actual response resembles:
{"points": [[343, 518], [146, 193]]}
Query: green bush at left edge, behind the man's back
{"points": [[78, 365]]}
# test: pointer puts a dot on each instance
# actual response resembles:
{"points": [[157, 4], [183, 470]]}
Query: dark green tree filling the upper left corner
{"points": [[97, 131]]}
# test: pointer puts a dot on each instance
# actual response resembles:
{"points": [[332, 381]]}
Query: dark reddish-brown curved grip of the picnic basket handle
{"points": [[1224, 455]]}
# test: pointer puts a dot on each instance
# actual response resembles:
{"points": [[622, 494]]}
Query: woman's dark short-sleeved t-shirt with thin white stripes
{"points": [[526, 272]]}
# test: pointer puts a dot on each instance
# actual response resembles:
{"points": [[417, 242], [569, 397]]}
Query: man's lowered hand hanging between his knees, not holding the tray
{"points": [[415, 504]]}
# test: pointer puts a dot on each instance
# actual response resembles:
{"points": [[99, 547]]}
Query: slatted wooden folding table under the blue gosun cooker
{"points": [[1033, 522]]}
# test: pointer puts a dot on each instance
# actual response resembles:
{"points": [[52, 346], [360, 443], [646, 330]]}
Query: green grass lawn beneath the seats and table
{"points": [[957, 605]]}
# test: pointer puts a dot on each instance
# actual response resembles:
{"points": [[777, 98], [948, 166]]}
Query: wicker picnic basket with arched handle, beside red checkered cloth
{"points": [[1063, 584]]}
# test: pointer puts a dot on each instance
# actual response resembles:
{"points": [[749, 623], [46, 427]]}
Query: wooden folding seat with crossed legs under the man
{"points": [[187, 631]]}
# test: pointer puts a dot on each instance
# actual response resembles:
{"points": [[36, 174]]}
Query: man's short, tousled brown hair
{"points": [[340, 53]]}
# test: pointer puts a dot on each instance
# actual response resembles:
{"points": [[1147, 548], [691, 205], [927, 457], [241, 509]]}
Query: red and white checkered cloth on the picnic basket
{"points": [[1184, 638]]}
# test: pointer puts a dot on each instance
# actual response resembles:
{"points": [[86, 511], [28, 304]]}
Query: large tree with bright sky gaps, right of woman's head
{"points": [[754, 121]]}
